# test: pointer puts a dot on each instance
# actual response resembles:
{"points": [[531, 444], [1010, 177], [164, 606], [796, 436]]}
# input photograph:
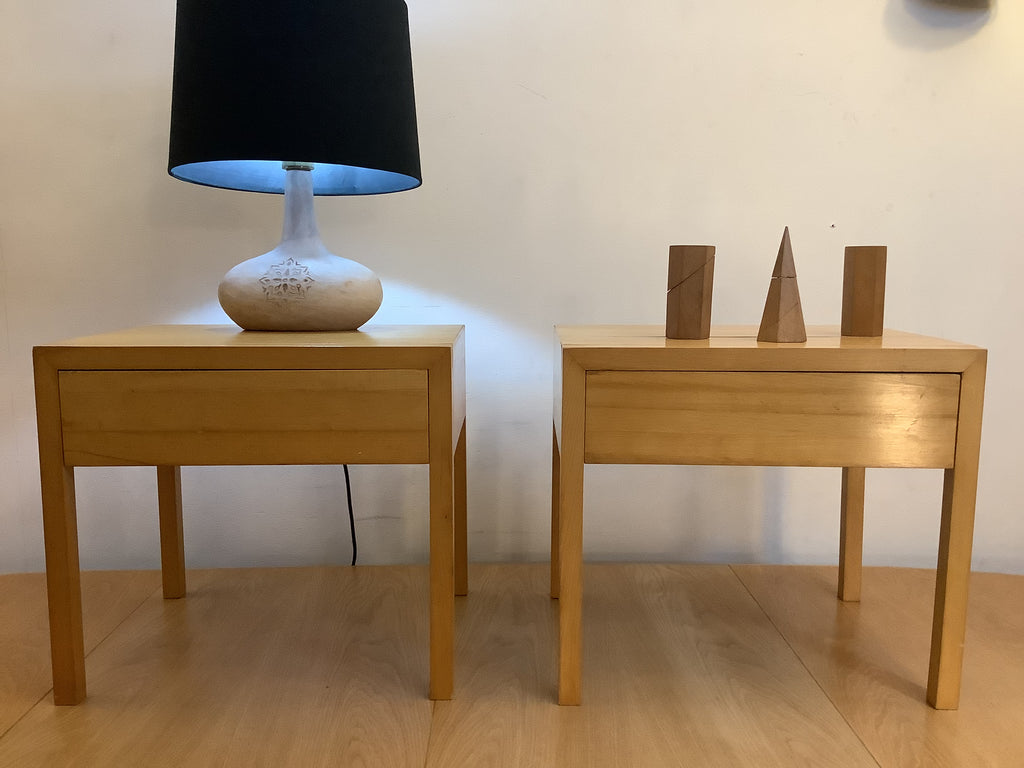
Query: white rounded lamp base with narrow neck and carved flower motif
{"points": [[301, 286]]}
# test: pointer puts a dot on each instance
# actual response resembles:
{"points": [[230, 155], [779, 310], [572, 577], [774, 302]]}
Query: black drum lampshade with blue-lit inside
{"points": [[263, 82]]}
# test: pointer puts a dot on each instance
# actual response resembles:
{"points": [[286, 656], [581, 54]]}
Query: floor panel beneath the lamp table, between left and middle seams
{"points": [[304, 667]]}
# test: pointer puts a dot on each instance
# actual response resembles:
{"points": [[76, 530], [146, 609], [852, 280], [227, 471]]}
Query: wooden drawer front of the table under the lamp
{"points": [[244, 417]]}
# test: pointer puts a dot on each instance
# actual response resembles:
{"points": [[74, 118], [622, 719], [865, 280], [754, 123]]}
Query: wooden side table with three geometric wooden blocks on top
{"points": [[625, 395]]}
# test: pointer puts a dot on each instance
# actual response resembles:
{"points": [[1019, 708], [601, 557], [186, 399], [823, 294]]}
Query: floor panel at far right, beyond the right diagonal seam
{"points": [[872, 660]]}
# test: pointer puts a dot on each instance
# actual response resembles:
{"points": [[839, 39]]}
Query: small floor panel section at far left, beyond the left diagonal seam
{"points": [[108, 599]]}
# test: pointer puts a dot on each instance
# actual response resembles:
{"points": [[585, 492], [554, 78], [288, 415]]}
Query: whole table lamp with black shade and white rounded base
{"points": [[304, 98]]}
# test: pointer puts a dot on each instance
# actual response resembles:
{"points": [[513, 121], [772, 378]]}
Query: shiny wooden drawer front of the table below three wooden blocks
{"points": [[772, 419]]}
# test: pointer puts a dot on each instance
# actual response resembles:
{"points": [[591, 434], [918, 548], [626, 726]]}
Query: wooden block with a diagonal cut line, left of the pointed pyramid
{"points": [[692, 273]]}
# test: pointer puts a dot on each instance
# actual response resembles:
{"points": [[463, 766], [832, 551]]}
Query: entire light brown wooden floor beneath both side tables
{"points": [[685, 666]]}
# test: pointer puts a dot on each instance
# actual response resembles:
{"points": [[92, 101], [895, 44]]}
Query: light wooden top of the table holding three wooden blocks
{"points": [[737, 348]]}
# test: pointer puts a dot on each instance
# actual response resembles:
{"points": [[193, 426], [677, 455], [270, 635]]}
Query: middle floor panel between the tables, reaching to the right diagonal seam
{"points": [[680, 668]]}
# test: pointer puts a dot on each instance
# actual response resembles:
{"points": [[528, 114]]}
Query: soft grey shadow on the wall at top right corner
{"points": [[936, 24]]}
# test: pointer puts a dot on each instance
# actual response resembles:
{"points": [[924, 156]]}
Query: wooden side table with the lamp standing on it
{"points": [[174, 396]]}
